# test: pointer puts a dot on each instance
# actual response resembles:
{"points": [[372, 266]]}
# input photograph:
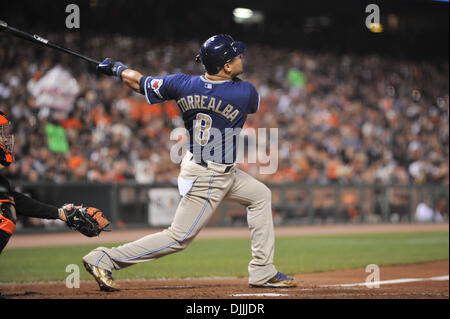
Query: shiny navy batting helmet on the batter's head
{"points": [[218, 50]]}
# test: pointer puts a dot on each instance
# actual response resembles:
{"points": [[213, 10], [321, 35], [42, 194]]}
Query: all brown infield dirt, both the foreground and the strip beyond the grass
{"points": [[419, 281]]}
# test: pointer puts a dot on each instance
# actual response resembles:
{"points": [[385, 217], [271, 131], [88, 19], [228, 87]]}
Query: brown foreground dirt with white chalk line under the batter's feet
{"points": [[310, 286]]}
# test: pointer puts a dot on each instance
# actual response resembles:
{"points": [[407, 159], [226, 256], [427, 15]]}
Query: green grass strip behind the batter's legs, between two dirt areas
{"points": [[230, 257]]}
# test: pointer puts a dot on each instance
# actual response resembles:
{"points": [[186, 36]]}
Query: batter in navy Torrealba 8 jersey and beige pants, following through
{"points": [[216, 101]]}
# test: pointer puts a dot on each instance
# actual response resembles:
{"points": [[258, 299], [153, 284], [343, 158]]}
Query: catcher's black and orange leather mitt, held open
{"points": [[89, 221]]}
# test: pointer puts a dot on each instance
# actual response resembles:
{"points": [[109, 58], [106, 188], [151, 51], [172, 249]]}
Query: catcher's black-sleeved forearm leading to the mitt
{"points": [[26, 206]]}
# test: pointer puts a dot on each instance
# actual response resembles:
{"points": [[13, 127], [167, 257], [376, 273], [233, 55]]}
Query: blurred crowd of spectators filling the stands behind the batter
{"points": [[350, 119]]}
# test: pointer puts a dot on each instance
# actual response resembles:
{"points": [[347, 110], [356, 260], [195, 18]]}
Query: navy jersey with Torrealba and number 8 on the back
{"points": [[213, 111]]}
